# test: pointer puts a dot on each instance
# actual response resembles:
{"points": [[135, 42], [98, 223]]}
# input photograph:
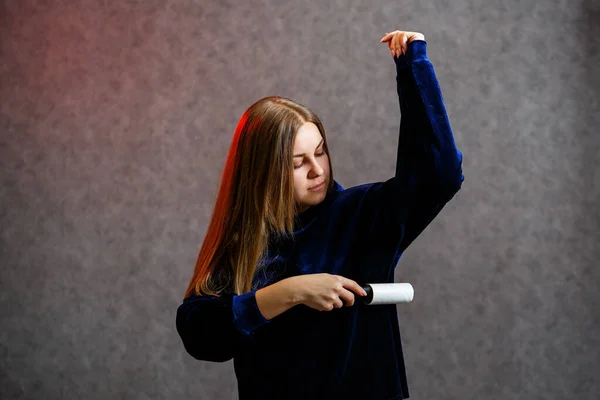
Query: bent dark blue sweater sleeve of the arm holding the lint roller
{"points": [[215, 328]]}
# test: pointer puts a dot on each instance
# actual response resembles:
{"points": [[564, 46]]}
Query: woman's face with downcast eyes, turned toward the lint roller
{"points": [[311, 167]]}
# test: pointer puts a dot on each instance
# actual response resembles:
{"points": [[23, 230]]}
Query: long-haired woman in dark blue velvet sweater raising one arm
{"points": [[287, 242]]}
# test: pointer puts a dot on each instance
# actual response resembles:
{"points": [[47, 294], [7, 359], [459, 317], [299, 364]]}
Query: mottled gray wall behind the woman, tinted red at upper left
{"points": [[115, 120]]}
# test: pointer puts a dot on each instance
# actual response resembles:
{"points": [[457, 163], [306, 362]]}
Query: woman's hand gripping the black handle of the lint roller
{"points": [[324, 292]]}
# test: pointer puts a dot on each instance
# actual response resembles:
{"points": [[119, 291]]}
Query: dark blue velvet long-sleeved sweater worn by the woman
{"points": [[360, 233]]}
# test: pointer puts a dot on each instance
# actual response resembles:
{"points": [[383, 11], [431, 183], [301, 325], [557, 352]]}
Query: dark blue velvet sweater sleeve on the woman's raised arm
{"points": [[428, 166]]}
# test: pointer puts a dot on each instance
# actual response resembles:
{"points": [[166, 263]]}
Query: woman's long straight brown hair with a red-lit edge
{"points": [[255, 201]]}
